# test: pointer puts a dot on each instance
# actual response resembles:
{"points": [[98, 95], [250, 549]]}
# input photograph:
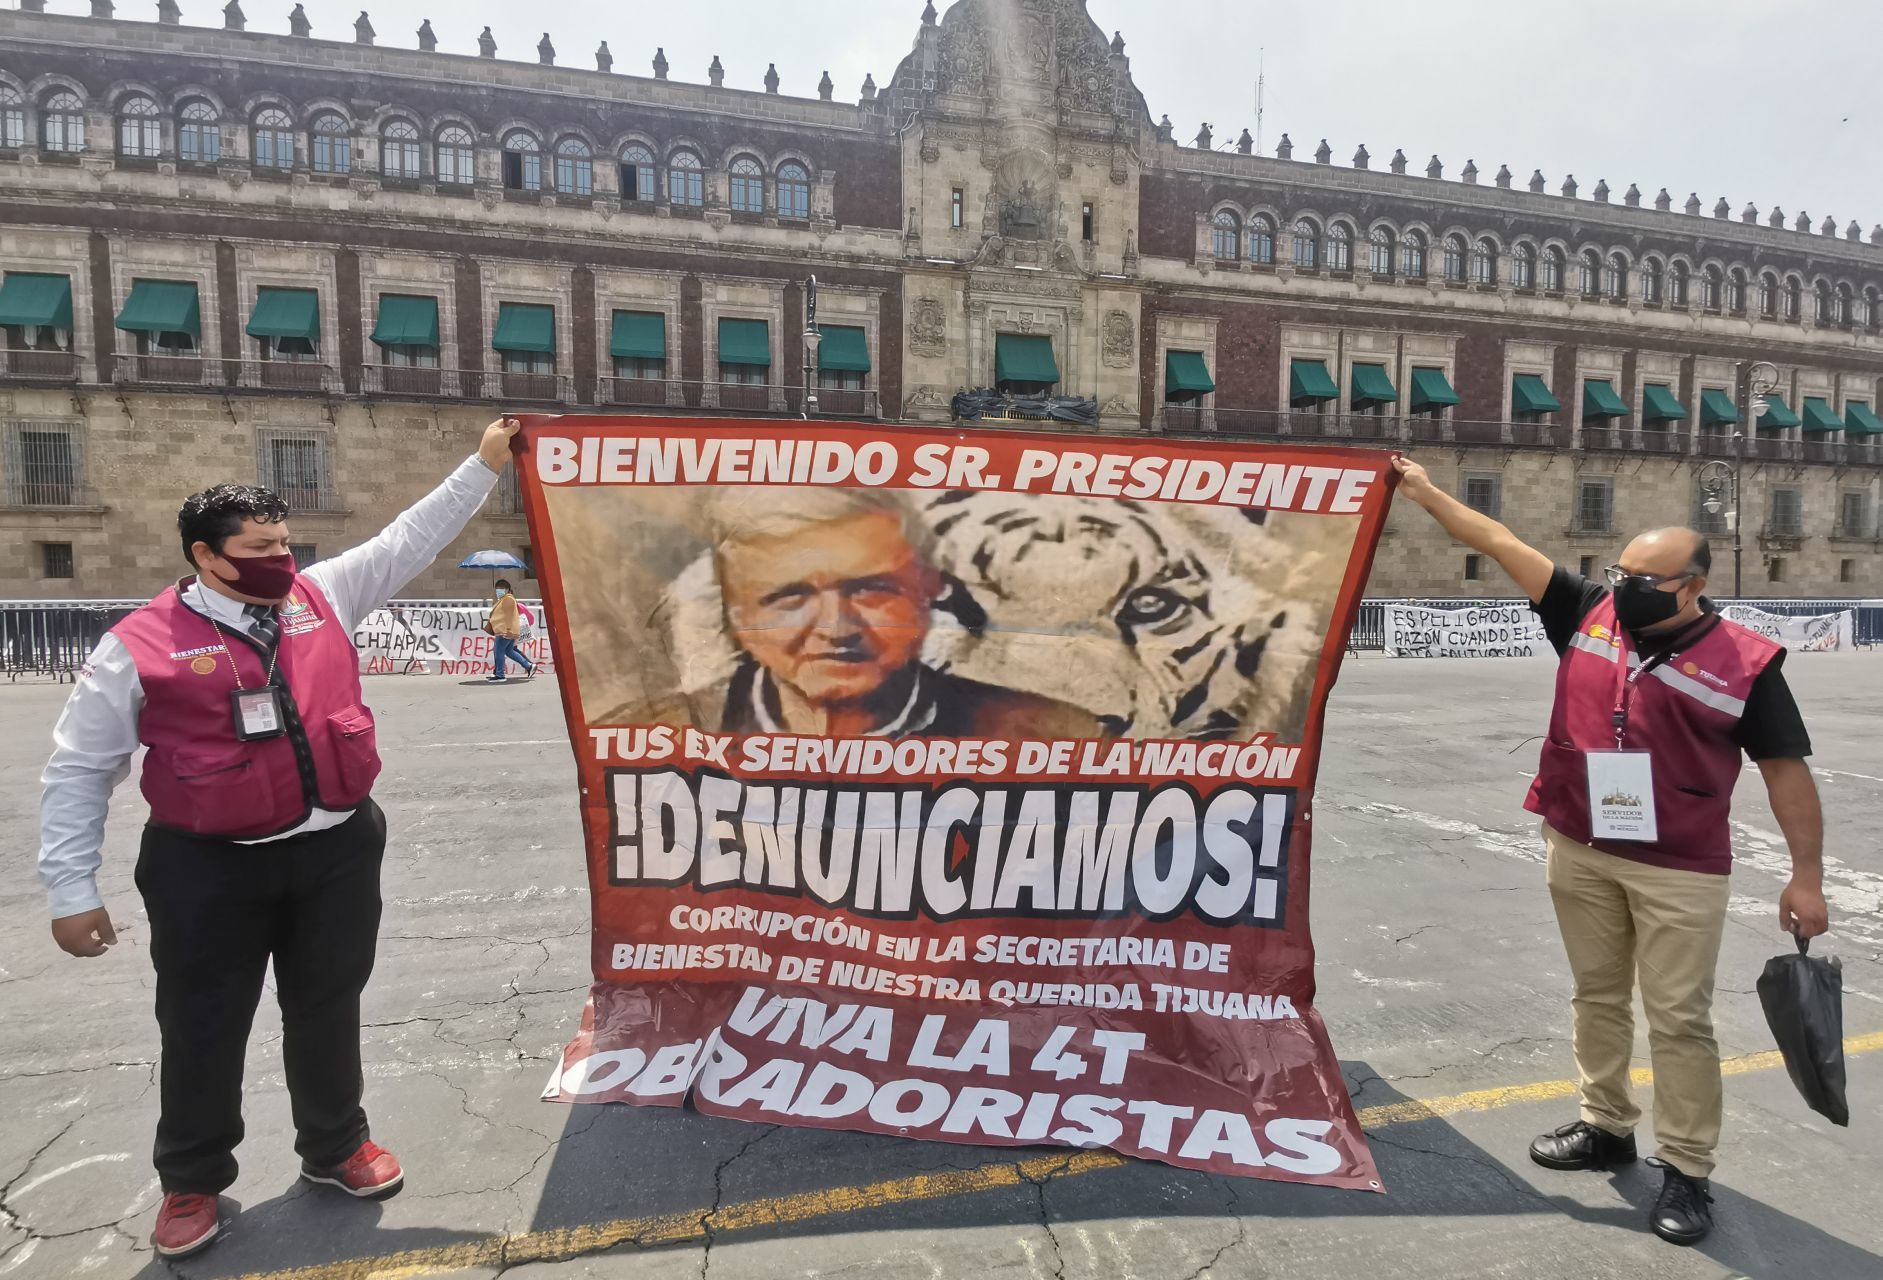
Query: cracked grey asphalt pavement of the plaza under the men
{"points": [[1441, 980]]}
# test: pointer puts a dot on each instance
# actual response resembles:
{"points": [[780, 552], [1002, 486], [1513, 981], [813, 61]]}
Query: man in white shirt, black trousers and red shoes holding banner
{"points": [[265, 842]]}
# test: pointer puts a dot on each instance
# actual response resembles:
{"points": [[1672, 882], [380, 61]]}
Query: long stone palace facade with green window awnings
{"points": [[327, 263]]}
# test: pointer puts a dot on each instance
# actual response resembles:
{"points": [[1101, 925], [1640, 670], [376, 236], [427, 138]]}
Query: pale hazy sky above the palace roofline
{"points": [[1763, 101]]}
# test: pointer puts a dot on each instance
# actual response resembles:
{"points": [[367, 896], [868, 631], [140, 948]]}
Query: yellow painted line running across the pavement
{"points": [[564, 1243]]}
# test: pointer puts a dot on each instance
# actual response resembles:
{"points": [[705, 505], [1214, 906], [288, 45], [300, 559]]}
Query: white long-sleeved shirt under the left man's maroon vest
{"points": [[97, 735]]}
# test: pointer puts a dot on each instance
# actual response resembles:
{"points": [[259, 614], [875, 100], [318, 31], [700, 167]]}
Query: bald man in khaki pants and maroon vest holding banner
{"points": [[1656, 699]]}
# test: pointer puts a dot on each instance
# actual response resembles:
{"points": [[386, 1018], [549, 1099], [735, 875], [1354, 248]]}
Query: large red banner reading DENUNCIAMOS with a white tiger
{"points": [[956, 784]]}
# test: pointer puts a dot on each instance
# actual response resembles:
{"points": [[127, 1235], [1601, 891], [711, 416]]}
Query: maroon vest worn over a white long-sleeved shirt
{"points": [[199, 776]]}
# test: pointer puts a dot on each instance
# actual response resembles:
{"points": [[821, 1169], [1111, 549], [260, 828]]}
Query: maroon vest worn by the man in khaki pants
{"points": [[1684, 712]]}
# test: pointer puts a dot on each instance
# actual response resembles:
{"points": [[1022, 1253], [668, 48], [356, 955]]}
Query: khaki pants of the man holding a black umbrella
{"points": [[1620, 921]]}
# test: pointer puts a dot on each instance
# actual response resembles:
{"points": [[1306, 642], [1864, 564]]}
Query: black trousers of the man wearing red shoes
{"points": [[219, 914]]}
